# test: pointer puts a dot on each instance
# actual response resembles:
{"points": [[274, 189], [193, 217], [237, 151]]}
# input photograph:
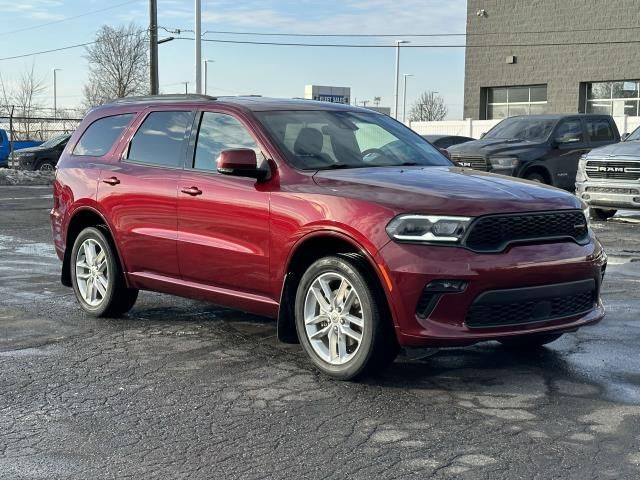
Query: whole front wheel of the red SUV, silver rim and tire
{"points": [[340, 319]]}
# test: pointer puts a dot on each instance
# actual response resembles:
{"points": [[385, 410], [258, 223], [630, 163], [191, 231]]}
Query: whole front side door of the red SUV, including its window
{"points": [[223, 221]]}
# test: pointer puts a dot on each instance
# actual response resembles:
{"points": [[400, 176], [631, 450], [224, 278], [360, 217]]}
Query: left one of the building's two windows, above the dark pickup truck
{"points": [[503, 102]]}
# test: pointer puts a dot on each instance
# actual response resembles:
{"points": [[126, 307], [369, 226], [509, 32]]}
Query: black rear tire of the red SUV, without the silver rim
{"points": [[118, 299]]}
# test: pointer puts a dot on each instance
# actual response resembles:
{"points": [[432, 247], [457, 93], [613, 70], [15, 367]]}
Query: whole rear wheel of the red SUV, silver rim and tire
{"points": [[96, 276]]}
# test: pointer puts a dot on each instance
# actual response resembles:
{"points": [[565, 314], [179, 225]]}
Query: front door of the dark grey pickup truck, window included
{"points": [[570, 145]]}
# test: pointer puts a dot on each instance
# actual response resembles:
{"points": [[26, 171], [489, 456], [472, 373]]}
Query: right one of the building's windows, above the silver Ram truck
{"points": [[617, 98]]}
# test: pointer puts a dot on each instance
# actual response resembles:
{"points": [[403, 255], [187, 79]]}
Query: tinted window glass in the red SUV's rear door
{"points": [[161, 138]]}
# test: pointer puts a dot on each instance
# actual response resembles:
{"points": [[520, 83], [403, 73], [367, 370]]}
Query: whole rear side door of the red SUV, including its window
{"points": [[139, 193]]}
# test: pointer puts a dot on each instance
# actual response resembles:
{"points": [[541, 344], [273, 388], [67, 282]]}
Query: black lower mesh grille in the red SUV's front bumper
{"points": [[487, 313]]}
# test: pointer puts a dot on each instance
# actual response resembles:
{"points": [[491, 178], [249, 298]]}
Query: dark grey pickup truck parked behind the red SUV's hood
{"points": [[541, 148]]}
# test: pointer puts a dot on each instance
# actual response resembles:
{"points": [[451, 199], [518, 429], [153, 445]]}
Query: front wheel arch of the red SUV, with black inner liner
{"points": [[307, 250]]}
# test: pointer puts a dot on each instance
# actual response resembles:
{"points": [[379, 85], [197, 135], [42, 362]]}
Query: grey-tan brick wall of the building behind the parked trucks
{"points": [[562, 67]]}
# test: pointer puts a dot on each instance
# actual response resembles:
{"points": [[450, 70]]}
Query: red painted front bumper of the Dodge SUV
{"points": [[412, 267]]}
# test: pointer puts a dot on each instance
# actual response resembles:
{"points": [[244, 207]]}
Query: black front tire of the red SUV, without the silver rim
{"points": [[378, 346]]}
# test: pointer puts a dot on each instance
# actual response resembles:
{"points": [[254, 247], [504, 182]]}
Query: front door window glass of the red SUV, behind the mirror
{"points": [[219, 132]]}
